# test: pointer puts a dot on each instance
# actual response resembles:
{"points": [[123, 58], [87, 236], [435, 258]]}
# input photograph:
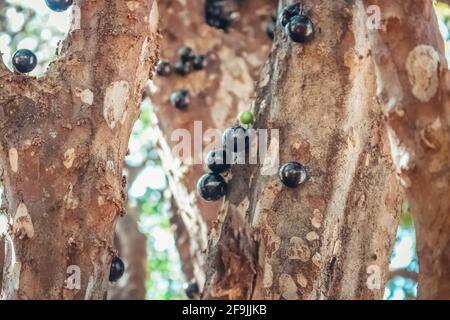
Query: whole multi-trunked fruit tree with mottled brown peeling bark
{"points": [[363, 106]]}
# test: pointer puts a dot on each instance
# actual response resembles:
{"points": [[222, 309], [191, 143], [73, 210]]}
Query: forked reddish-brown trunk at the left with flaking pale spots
{"points": [[63, 141]]}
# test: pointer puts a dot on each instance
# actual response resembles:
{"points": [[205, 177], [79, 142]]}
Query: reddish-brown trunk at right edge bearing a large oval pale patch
{"points": [[413, 89]]}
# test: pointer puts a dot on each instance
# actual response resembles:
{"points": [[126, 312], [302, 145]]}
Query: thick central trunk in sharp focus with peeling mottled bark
{"points": [[320, 240]]}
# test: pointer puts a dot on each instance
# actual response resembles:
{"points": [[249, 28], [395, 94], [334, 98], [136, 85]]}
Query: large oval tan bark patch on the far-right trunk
{"points": [[422, 66]]}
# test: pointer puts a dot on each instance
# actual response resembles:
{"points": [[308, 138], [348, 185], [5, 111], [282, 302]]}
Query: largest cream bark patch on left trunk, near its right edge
{"points": [[115, 103]]}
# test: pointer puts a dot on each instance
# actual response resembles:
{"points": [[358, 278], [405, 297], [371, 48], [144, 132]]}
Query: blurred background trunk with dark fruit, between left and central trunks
{"points": [[219, 93]]}
